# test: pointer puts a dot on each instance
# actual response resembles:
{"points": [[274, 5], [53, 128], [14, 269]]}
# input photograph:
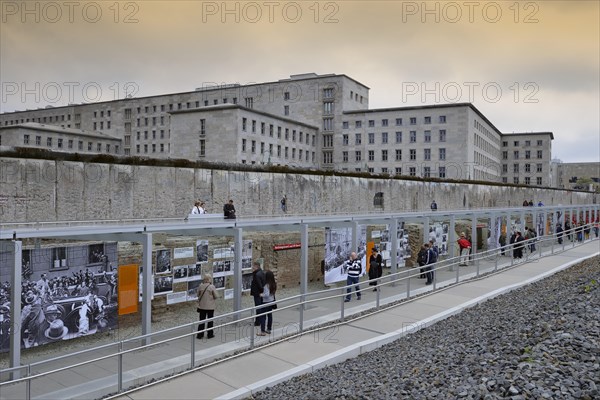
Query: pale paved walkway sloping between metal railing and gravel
{"points": [[243, 375]]}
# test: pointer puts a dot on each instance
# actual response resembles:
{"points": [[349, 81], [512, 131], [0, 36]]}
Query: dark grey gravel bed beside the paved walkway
{"points": [[539, 342]]}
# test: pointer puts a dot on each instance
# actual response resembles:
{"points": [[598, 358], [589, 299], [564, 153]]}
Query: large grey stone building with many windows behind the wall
{"points": [[308, 120]]}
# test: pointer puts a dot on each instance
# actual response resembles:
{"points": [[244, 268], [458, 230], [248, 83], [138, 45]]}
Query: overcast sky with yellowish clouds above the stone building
{"points": [[528, 66]]}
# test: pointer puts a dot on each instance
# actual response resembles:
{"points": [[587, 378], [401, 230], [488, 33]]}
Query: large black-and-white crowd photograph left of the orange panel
{"points": [[77, 298]]}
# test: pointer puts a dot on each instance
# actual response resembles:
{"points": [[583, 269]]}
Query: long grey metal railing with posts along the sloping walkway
{"points": [[17, 382]]}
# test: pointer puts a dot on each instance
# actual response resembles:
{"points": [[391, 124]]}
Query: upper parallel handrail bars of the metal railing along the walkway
{"points": [[390, 279]]}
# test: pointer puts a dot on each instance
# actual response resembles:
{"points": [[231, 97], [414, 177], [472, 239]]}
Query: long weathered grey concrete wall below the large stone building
{"points": [[47, 190]]}
